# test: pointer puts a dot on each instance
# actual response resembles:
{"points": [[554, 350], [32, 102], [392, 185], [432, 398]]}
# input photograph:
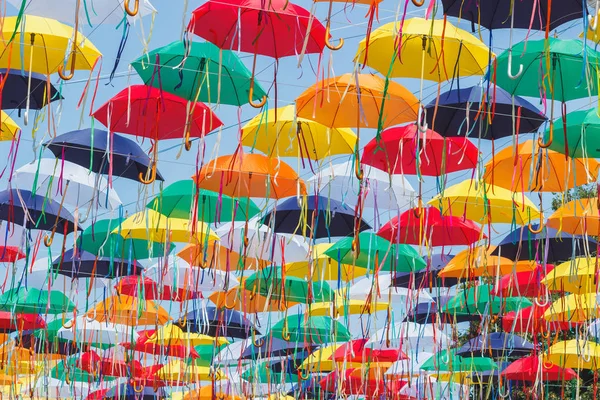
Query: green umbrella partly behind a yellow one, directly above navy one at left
{"points": [[98, 239]]}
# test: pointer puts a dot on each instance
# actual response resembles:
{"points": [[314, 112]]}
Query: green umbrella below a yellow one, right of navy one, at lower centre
{"points": [[318, 330]]}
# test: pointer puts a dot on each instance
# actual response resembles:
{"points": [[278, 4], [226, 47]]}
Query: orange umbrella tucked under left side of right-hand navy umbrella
{"points": [[479, 261]]}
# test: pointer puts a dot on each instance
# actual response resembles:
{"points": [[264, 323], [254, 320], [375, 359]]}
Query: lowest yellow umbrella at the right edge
{"points": [[576, 354]]}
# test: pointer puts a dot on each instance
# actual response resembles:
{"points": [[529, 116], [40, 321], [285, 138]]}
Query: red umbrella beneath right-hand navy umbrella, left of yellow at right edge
{"points": [[527, 284]]}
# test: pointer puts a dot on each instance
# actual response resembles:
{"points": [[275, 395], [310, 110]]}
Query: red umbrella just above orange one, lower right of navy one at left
{"points": [[145, 287]]}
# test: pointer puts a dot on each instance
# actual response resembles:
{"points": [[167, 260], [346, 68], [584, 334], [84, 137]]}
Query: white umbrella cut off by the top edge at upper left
{"points": [[98, 11]]}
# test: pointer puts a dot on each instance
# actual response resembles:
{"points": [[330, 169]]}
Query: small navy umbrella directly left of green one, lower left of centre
{"points": [[216, 322]]}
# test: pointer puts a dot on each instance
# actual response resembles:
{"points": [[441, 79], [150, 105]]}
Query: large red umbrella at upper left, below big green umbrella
{"points": [[146, 111]]}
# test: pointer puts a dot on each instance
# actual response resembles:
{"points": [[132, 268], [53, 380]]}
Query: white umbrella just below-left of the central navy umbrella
{"points": [[263, 243]]}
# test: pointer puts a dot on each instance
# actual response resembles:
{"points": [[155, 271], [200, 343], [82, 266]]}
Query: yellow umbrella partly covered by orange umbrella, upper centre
{"points": [[279, 133]]}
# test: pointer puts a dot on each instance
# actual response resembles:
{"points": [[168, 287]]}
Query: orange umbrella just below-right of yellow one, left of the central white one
{"points": [[219, 257]]}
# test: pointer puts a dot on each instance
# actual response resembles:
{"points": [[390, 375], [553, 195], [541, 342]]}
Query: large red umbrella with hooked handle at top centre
{"points": [[274, 28]]}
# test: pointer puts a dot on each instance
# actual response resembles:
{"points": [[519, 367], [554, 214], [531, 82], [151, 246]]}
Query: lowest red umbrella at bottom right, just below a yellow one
{"points": [[526, 370]]}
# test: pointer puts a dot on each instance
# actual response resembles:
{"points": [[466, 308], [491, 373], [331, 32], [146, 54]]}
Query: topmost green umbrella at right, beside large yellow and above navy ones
{"points": [[573, 77]]}
